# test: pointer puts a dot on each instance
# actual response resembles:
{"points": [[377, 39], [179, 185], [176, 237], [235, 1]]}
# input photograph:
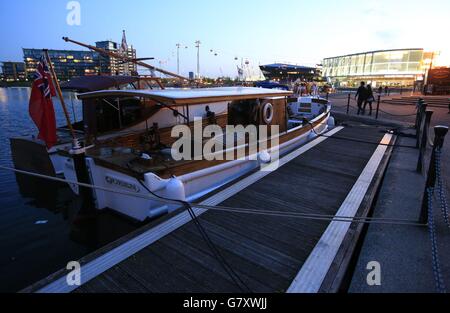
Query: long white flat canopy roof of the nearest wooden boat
{"points": [[191, 96]]}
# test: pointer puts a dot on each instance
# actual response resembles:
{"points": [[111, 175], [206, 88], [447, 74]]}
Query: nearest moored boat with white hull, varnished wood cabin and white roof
{"points": [[138, 161]]}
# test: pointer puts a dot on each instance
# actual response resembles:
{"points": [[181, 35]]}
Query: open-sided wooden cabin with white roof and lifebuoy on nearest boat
{"points": [[113, 112]]}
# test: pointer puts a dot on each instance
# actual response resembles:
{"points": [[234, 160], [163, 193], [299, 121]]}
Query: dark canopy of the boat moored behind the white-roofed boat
{"points": [[97, 82]]}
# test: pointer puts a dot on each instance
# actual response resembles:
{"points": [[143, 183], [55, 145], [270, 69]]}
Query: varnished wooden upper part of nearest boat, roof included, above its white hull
{"points": [[140, 122]]}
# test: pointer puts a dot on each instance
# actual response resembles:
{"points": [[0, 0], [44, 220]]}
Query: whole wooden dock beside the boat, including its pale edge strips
{"points": [[270, 253]]}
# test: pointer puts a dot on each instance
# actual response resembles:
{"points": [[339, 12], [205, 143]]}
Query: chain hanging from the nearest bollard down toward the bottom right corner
{"points": [[438, 279]]}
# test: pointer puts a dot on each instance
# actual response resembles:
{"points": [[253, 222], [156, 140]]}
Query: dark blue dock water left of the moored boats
{"points": [[41, 228]]}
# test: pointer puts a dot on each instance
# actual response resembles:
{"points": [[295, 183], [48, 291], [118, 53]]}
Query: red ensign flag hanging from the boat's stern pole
{"points": [[41, 105]]}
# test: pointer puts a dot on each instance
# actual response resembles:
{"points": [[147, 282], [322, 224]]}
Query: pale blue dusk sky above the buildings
{"points": [[261, 31]]}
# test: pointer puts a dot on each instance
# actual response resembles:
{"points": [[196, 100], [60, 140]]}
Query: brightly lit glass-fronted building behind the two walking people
{"points": [[400, 67]]}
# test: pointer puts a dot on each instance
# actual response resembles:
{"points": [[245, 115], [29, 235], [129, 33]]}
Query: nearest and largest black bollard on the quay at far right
{"points": [[439, 132]]}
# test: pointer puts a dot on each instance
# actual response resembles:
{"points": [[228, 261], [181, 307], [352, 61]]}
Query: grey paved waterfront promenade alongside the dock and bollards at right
{"points": [[403, 252]]}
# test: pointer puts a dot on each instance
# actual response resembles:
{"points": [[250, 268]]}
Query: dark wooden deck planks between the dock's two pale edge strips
{"points": [[266, 251]]}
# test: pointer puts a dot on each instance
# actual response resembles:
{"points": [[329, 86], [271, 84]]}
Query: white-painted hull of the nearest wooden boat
{"points": [[195, 184]]}
